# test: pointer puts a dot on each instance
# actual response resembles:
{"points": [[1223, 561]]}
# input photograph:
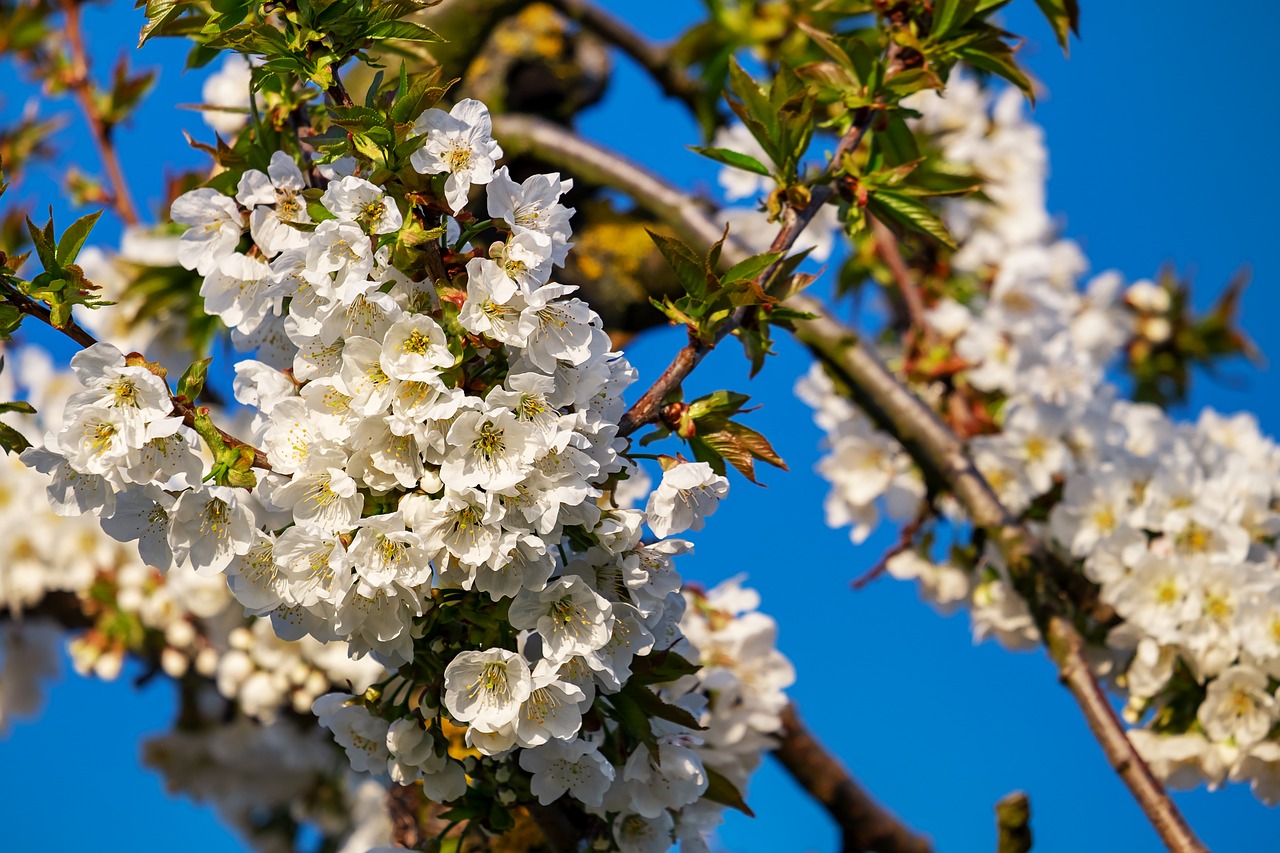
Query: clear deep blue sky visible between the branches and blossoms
{"points": [[1159, 130]]}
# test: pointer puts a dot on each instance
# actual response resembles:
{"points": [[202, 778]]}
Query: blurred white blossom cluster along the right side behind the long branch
{"points": [[1174, 523]]}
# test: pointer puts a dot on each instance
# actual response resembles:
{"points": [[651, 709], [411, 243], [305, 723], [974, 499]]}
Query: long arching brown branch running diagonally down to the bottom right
{"points": [[1040, 576]]}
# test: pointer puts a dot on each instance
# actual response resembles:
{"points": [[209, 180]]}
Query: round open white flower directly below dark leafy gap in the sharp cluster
{"points": [[487, 688]]}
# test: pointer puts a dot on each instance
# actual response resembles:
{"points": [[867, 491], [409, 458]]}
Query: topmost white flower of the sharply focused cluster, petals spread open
{"points": [[459, 143]]}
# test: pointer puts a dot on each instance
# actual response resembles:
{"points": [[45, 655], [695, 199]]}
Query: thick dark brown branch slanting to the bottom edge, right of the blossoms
{"points": [[863, 823]]}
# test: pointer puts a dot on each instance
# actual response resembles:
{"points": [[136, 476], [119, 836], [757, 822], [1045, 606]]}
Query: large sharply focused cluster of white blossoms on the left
{"points": [[437, 492]]}
